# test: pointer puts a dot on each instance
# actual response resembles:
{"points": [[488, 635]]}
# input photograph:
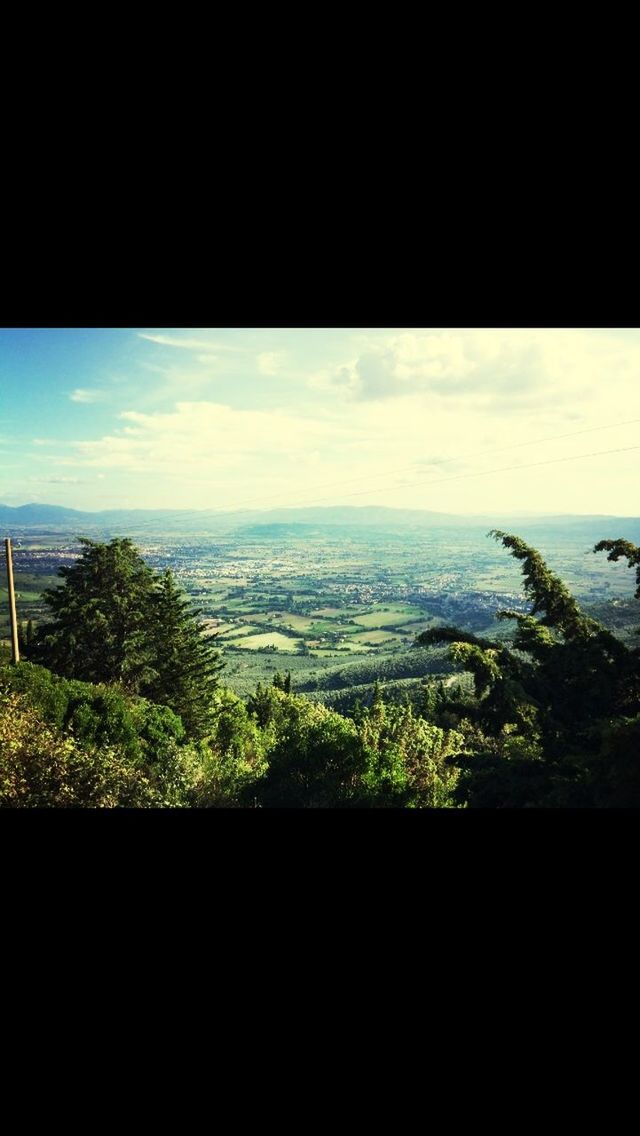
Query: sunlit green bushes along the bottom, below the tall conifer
{"points": [[86, 746]]}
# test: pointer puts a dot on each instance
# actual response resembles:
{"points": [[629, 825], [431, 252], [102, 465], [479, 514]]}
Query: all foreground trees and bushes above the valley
{"points": [[124, 708]]}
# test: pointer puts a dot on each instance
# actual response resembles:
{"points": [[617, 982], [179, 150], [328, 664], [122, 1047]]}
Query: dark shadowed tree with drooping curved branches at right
{"points": [[555, 716]]}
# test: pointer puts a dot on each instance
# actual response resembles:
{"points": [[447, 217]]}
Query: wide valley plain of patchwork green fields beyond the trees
{"points": [[353, 604]]}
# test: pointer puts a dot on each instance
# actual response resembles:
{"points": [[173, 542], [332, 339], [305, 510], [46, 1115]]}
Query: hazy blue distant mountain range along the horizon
{"points": [[210, 521]]}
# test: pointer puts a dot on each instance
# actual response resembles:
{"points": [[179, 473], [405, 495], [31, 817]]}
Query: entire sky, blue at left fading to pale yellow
{"points": [[455, 421]]}
